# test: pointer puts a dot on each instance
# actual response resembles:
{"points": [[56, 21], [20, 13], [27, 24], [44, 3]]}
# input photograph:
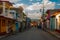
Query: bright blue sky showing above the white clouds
{"points": [[29, 2]]}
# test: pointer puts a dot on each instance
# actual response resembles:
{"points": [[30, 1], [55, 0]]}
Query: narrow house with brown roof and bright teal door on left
{"points": [[17, 17]]}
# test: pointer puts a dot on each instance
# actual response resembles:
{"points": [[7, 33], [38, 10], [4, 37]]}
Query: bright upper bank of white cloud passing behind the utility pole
{"points": [[47, 4]]}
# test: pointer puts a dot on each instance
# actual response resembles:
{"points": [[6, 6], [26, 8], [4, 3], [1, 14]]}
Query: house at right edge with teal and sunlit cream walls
{"points": [[54, 19]]}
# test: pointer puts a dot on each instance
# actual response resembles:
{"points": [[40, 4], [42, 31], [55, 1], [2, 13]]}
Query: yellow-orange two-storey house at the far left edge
{"points": [[7, 23]]}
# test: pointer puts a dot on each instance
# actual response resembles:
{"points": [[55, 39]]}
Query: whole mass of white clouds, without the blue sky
{"points": [[35, 7]]}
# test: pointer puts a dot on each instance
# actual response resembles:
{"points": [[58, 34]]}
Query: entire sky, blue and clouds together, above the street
{"points": [[32, 7]]}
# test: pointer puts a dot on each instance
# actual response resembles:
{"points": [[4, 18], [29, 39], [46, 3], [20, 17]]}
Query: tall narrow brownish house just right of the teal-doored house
{"points": [[22, 18]]}
